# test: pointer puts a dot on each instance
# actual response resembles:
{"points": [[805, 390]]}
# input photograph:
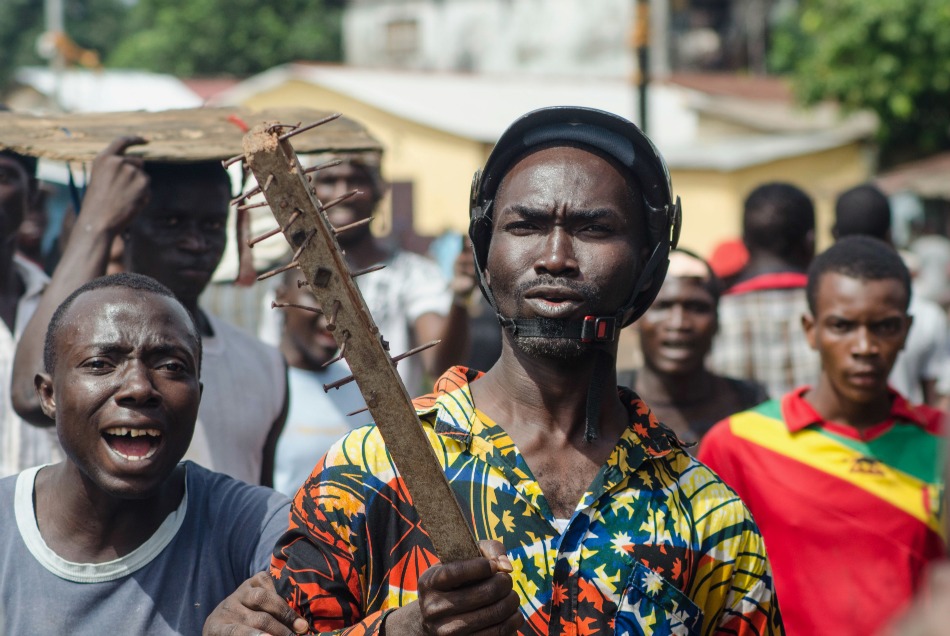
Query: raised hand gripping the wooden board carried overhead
{"points": [[118, 189]]}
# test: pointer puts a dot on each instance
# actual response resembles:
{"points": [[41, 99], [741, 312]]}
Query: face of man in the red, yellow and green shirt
{"points": [[858, 328]]}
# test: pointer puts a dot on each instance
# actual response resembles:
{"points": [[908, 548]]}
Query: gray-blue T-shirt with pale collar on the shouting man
{"points": [[222, 533]]}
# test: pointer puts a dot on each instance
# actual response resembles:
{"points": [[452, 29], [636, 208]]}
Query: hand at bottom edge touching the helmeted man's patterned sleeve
{"points": [[252, 610]]}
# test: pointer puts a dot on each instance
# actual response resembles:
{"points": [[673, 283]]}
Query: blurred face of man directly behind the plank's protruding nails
{"points": [[337, 181]]}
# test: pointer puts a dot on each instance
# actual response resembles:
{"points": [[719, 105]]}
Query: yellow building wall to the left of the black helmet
{"points": [[439, 164]]}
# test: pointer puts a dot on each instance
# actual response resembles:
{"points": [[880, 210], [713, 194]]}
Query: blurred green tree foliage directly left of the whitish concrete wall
{"points": [[239, 37]]}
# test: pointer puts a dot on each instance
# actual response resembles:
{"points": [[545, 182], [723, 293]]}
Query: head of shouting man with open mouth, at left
{"points": [[124, 389]]}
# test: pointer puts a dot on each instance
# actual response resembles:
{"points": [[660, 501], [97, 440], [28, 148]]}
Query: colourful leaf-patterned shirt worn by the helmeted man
{"points": [[659, 545]]}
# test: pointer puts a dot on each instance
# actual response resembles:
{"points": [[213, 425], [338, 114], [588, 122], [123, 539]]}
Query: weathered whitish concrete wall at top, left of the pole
{"points": [[546, 36]]}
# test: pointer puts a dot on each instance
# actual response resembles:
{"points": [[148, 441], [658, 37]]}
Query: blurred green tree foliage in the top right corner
{"points": [[889, 56]]}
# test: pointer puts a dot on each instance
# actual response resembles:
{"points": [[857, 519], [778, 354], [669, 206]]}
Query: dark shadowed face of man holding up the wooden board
{"points": [[178, 239]]}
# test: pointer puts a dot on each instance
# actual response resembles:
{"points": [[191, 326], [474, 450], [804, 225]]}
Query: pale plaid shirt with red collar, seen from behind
{"points": [[761, 337]]}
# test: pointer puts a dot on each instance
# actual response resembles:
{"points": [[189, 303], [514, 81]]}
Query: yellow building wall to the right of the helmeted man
{"points": [[712, 201]]}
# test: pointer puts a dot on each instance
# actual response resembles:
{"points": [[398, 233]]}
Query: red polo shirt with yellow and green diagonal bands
{"points": [[850, 518]]}
